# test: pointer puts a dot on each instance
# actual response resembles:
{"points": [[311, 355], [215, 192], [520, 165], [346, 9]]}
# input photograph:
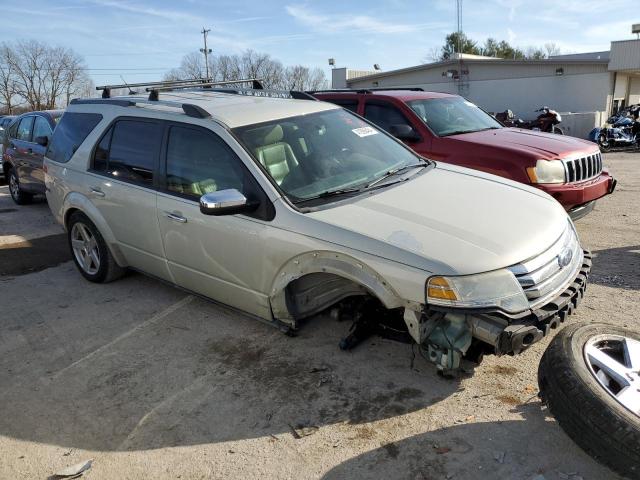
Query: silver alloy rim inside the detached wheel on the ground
{"points": [[614, 361]]}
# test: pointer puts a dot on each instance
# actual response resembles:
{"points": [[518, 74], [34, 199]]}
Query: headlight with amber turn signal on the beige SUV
{"points": [[499, 288]]}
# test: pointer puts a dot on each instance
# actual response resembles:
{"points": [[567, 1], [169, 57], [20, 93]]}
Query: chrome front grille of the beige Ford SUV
{"points": [[542, 277]]}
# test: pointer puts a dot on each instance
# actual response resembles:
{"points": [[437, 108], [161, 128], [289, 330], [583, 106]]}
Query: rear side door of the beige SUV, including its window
{"points": [[121, 183]]}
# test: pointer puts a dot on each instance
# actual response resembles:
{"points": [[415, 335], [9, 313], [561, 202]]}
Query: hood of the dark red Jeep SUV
{"points": [[542, 145]]}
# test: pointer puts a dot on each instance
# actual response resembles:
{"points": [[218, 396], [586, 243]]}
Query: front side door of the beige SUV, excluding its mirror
{"points": [[221, 257]]}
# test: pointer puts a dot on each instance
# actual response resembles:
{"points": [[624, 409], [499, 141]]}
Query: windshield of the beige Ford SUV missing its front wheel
{"points": [[309, 156]]}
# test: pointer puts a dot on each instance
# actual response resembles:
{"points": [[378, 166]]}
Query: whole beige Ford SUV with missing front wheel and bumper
{"points": [[284, 208]]}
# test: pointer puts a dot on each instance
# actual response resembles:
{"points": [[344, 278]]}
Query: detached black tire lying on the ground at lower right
{"points": [[591, 415]]}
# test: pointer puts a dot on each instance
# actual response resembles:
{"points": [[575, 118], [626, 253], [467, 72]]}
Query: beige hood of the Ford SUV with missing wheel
{"points": [[449, 220]]}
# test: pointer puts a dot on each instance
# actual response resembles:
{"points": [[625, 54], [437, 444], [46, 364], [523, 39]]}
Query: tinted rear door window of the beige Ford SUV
{"points": [[129, 151]]}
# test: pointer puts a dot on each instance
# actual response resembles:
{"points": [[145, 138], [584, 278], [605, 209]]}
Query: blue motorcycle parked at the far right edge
{"points": [[622, 130]]}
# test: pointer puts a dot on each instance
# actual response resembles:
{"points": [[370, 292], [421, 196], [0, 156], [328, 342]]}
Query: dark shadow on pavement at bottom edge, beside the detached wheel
{"points": [[478, 450]]}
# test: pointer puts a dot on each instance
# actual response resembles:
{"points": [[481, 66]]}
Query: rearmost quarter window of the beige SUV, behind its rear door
{"points": [[69, 134]]}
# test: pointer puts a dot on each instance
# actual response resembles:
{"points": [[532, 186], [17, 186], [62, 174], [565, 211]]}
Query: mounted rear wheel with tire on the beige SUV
{"points": [[90, 252]]}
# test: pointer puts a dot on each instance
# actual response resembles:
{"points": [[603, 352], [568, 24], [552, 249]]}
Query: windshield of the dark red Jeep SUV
{"points": [[452, 115]]}
